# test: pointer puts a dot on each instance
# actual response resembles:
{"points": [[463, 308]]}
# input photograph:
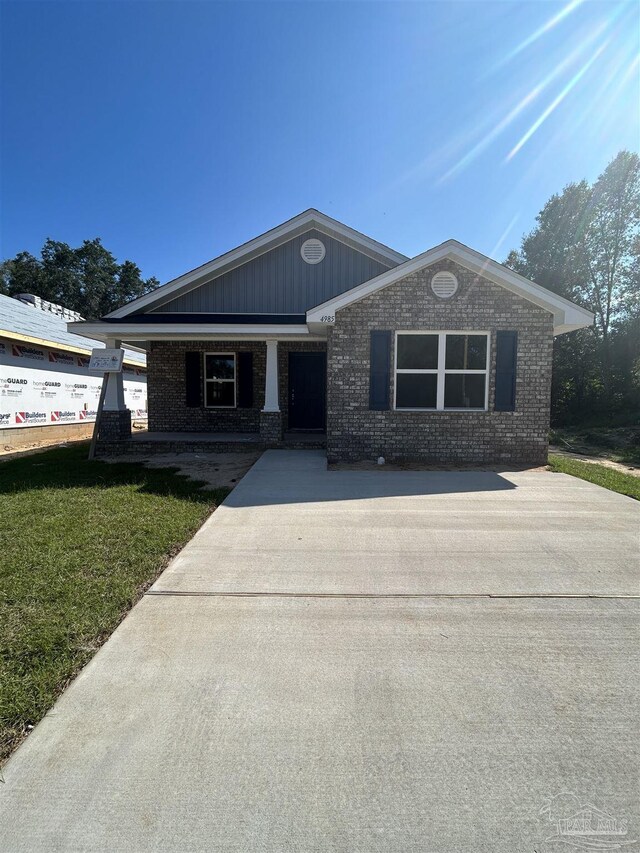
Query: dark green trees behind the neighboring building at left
{"points": [[87, 279]]}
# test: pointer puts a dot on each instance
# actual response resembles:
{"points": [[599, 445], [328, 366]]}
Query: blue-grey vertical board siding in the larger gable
{"points": [[280, 281]]}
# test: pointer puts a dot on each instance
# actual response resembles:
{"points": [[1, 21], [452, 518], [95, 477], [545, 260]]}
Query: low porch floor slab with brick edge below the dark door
{"points": [[206, 442]]}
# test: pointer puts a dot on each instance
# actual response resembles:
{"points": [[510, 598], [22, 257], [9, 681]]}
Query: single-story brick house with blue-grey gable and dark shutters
{"points": [[315, 328]]}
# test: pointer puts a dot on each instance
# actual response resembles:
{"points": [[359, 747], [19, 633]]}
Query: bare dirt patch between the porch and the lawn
{"points": [[216, 469]]}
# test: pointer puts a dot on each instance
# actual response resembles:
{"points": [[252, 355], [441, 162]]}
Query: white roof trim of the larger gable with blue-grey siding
{"points": [[259, 245]]}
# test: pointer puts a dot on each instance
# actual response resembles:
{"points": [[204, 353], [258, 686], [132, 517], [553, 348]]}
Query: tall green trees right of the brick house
{"points": [[586, 247]]}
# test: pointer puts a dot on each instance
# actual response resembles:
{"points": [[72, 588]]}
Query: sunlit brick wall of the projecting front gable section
{"points": [[354, 432]]}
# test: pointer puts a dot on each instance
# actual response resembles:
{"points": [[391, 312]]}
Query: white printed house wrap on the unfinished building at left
{"points": [[40, 387]]}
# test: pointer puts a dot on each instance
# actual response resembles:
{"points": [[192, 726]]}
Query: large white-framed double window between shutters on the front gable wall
{"points": [[441, 370]]}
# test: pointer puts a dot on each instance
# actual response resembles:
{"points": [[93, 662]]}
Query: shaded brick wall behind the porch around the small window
{"points": [[166, 386]]}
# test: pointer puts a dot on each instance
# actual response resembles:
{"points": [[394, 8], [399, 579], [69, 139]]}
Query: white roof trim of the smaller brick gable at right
{"points": [[566, 315]]}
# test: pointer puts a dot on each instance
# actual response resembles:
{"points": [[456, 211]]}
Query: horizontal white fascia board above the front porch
{"points": [[189, 331]]}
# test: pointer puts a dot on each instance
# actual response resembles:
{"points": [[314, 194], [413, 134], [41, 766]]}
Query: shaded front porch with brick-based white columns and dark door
{"points": [[226, 396]]}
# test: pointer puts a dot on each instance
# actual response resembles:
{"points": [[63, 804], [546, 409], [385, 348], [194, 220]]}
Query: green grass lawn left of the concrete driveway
{"points": [[79, 542]]}
